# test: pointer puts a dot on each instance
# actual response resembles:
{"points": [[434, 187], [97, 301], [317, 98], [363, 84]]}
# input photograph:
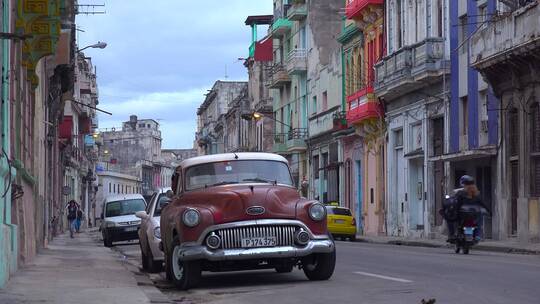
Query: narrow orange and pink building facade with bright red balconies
{"points": [[364, 45]]}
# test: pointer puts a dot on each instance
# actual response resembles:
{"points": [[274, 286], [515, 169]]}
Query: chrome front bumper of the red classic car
{"points": [[190, 252]]}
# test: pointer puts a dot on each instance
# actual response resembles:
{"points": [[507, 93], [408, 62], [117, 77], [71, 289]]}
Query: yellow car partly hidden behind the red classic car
{"points": [[341, 223]]}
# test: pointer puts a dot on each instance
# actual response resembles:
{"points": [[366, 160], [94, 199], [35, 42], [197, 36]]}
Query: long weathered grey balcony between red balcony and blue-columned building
{"points": [[411, 68]]}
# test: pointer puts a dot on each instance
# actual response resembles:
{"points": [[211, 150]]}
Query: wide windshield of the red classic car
{"points": [[238, 171]]}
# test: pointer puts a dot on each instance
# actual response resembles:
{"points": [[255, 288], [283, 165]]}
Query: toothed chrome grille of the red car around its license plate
{"points": [[232, 237]]}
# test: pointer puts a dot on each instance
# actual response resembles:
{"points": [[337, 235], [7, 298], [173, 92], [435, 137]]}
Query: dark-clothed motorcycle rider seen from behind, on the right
{"points": [[468, 195]]}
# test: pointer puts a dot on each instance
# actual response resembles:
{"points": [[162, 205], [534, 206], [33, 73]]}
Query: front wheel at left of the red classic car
{"points": [[183, 275]]}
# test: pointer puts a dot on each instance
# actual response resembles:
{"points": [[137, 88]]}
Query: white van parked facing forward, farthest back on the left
{"points": [[118, 220]]}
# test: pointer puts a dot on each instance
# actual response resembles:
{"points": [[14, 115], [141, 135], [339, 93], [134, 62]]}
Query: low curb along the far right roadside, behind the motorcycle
{"points": [[415, 243]]}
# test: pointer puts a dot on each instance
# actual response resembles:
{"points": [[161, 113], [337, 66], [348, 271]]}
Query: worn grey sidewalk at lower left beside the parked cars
{"points": [[79, 271]]}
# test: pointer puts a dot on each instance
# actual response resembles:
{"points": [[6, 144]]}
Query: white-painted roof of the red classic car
{"points": [[231, 157]]}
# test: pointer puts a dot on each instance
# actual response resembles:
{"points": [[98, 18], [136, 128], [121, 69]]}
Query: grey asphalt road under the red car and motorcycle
{"points": [[369, 273]]}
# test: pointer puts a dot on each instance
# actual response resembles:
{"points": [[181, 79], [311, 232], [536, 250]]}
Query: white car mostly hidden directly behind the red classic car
{"points": [[150, 234]]}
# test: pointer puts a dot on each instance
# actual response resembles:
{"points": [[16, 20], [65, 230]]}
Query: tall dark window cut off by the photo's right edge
{"points": [[534, 135]]}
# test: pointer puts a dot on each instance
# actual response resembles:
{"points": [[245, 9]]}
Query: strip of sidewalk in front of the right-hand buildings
{"points": [[509, 246]]}
